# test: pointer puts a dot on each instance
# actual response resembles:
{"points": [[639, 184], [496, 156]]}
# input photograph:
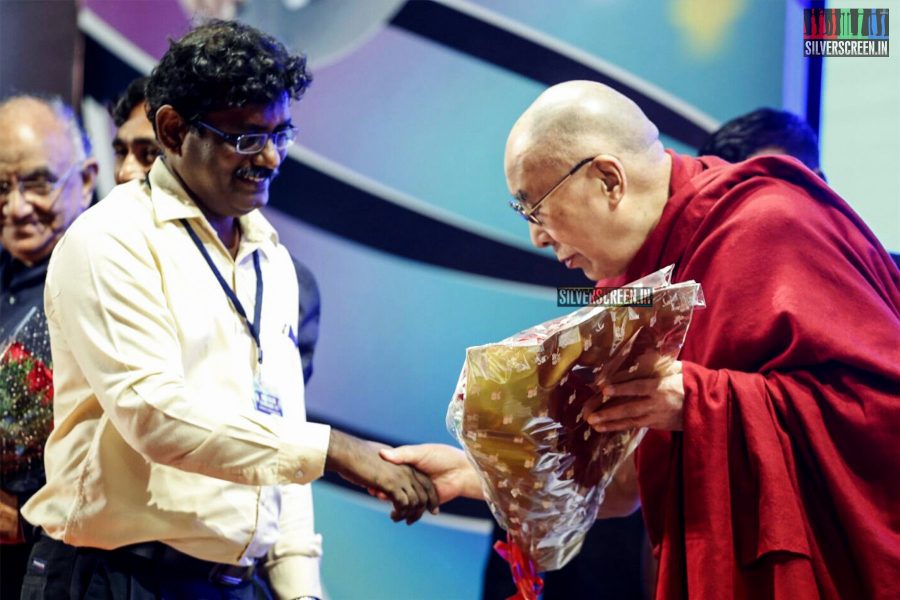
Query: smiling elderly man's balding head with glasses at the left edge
{"points": [[46, 177]]}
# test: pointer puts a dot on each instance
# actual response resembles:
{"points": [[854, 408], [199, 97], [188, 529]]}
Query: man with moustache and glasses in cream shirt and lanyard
{"points": [[181, 443]]}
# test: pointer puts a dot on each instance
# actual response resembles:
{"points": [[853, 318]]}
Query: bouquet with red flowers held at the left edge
{"points": [[26, 403]]}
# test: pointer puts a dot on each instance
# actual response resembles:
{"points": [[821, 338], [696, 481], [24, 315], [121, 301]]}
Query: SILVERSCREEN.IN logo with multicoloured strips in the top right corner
{"points": [[846, 32]]}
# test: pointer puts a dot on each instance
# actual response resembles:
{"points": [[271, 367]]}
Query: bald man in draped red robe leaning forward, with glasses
{"points": [[772, 468]]}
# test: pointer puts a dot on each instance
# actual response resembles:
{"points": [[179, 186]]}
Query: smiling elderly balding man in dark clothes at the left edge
{"points": [[47, 179]]}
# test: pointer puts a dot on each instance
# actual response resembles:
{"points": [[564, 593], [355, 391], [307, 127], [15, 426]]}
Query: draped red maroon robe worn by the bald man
{"points": [[785, 482]]}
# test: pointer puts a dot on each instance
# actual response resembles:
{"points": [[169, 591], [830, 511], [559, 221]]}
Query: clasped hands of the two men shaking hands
{"points": [[434, 475]]}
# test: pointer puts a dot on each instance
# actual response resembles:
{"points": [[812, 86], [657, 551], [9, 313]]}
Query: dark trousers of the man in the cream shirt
{"points": [[58, 571]]}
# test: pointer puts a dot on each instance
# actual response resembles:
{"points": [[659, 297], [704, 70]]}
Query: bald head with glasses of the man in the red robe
{"points": [[588, 170]]}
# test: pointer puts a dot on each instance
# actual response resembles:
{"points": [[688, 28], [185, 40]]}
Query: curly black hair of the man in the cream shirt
{"points": [[224, 64]]}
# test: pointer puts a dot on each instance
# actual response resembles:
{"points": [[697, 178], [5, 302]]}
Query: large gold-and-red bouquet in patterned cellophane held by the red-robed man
{"points": [[517, 412]]}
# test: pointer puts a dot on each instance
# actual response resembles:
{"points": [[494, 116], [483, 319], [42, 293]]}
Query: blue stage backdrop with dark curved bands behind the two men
{"points": [[394, 196]]}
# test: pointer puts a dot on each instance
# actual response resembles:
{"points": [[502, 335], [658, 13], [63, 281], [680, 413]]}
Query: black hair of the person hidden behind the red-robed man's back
{"points": [[743, 136]]}
